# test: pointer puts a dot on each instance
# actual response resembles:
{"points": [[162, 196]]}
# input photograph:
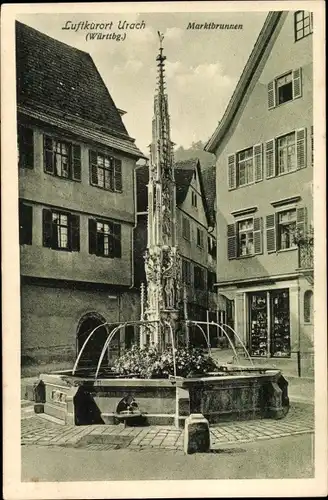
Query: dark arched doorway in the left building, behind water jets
{"points": [[92, 350]]}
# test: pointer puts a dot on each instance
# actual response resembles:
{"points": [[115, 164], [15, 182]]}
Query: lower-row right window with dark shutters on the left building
{"points": [[105, 238]]}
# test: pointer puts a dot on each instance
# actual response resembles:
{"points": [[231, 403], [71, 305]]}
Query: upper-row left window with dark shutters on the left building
{"points": [[62, 159]]}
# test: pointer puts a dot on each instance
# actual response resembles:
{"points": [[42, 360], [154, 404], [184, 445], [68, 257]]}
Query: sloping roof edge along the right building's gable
{"points": [[259, 51]]}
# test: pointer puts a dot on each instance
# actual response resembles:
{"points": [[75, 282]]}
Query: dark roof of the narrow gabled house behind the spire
{"points": [[183, 174]]}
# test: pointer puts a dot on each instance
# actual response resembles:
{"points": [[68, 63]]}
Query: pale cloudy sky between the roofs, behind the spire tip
{"points": [[202, 66]]}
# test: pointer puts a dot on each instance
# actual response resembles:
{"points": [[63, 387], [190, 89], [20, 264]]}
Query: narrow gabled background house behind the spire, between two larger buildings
{"points": [[196, 242]]}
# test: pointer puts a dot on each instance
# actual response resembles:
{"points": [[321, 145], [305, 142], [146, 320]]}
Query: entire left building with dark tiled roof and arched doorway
{"points": [[76, 204]]}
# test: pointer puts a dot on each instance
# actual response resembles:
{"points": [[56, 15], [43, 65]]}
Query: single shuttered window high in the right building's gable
{"points": [[285, 88]]}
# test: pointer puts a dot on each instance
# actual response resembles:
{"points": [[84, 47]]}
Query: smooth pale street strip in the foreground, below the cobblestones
{"points": [[289, 457]]}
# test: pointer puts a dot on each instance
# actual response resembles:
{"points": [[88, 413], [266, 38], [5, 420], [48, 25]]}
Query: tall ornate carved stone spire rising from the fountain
{"points": [[161, 258]]}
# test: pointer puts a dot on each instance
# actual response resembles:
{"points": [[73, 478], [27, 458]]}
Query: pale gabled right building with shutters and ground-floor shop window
{"points": [[264, 151]]}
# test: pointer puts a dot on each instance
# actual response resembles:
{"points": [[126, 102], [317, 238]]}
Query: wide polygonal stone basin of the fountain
{"points": [[236, 394]]}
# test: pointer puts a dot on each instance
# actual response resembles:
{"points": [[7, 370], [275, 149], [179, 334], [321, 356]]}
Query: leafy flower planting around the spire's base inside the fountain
{"points": [[149, 362]]}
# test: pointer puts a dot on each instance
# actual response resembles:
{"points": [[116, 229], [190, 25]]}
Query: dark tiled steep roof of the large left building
{"points": [[61, 77]]}
